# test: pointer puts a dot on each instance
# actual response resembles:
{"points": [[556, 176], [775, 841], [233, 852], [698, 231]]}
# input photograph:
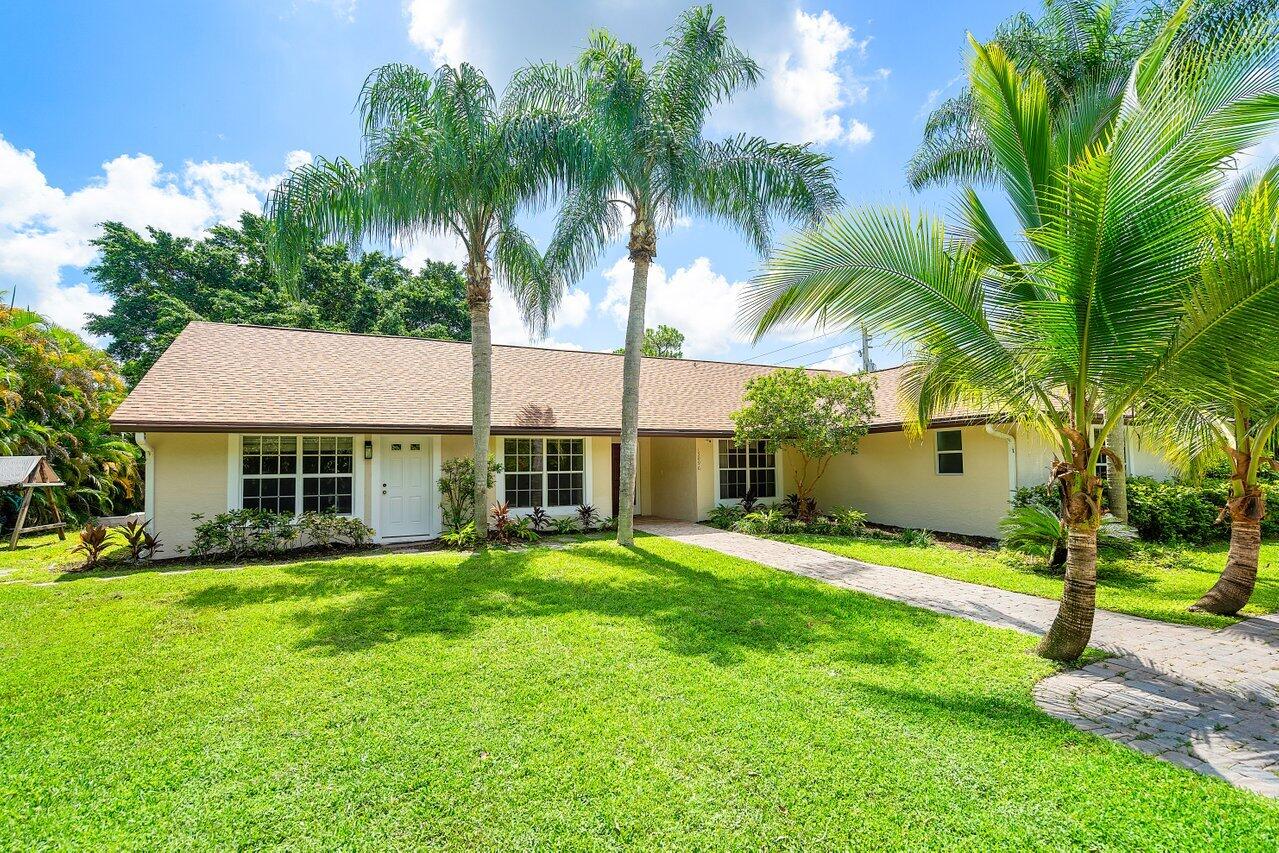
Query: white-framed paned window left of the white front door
{"points": [[271, 474]]}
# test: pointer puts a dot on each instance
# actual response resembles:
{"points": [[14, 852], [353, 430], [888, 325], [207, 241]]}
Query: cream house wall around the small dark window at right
{"points": [[895, 481]]}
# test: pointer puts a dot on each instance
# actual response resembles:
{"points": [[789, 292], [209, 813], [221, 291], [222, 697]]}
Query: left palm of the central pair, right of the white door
{"points": [[441, 158]]}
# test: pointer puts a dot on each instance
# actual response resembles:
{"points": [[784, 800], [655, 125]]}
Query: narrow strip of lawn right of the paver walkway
{"points": [[1154, 583]]}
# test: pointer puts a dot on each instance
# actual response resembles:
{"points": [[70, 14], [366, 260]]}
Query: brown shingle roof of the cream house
{"points": [[224, 378]]}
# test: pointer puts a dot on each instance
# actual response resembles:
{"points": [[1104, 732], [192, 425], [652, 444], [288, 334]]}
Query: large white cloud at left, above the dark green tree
{"points": [[45, 230]]}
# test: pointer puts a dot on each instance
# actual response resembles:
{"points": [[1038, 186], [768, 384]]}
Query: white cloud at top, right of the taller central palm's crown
{"points": [[812, 85]]}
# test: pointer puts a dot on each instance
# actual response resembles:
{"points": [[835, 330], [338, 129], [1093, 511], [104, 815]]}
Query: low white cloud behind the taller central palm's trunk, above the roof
{"points": [[695, 300]]}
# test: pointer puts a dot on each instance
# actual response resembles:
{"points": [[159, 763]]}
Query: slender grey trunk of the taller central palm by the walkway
{"points": [[643, 251]]}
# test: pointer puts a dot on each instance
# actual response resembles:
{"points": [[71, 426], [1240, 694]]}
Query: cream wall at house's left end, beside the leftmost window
{"points": [[190, 478]]}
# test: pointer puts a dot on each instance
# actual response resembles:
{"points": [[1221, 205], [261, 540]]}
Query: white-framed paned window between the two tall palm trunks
{"points": [[544, 473]]}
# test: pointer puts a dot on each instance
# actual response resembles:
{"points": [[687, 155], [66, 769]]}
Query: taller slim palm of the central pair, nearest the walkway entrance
{"points": [[640, 154]]}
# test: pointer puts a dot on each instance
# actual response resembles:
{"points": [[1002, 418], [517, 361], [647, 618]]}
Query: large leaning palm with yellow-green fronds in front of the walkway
{"points": [[1074, 331]]}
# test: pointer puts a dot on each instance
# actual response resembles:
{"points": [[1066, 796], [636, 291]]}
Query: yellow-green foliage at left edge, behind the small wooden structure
{"points": [[56, 397]]}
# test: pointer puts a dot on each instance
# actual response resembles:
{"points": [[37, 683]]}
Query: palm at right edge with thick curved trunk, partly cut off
{"points": [[1220, 398]]}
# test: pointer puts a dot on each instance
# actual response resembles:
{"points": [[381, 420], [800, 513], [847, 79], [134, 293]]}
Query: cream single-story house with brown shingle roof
{"points": [[294, 420]]}
